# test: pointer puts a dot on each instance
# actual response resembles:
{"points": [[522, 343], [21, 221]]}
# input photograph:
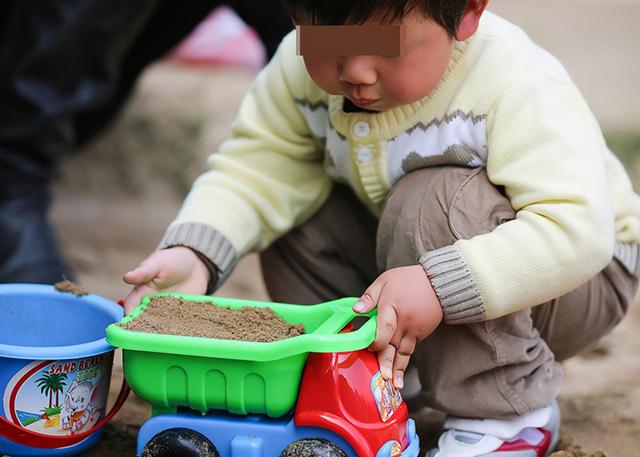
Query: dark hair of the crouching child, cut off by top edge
{"points": [[447, 13]]}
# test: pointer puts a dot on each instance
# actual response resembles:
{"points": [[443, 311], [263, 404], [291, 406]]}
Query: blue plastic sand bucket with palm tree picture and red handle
{"points": [[55, 370]]}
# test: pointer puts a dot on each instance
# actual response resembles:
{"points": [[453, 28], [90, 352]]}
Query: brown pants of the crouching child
{"points": [[487, 369]]}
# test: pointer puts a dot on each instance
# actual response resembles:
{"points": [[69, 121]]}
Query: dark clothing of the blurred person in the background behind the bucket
{"points": [[66, 69]]}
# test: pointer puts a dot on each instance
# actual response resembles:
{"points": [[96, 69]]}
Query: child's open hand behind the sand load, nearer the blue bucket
{"points": [[176, 269]]}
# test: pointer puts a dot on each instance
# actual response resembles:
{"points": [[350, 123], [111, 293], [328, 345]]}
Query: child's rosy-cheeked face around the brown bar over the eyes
{"points": [[380, 83]]}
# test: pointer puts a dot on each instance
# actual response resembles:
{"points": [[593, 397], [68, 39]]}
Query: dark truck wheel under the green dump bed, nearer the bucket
{"points": [[179, 442]]}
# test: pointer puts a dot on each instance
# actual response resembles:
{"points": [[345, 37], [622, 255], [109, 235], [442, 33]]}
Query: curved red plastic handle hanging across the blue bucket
{"points": [[20, 435]]}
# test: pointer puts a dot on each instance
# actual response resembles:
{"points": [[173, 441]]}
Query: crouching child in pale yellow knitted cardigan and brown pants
{"points": [[466, 169]]}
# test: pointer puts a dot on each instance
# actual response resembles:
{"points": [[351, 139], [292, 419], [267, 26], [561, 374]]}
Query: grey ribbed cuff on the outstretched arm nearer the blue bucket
{"points": [[209, 243]]}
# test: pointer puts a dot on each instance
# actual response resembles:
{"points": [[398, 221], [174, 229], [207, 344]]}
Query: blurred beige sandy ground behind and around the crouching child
{"points": [[114, 201]]}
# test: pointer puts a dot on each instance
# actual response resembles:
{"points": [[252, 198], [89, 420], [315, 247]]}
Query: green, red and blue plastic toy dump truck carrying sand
{"points": [[317, 394]]}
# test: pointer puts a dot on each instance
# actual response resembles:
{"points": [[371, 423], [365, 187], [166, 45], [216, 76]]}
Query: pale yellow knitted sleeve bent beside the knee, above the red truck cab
{"points": [[546, 149]]}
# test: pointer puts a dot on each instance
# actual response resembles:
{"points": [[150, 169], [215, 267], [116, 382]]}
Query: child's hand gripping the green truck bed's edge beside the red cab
{"points": [[408, 311]]}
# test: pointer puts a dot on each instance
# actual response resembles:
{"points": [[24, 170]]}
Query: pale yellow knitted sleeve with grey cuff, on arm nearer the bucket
{"points": [[267, 178]]}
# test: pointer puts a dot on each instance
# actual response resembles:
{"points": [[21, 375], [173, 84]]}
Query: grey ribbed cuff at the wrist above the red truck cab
{"points": [[452, 282]]}
